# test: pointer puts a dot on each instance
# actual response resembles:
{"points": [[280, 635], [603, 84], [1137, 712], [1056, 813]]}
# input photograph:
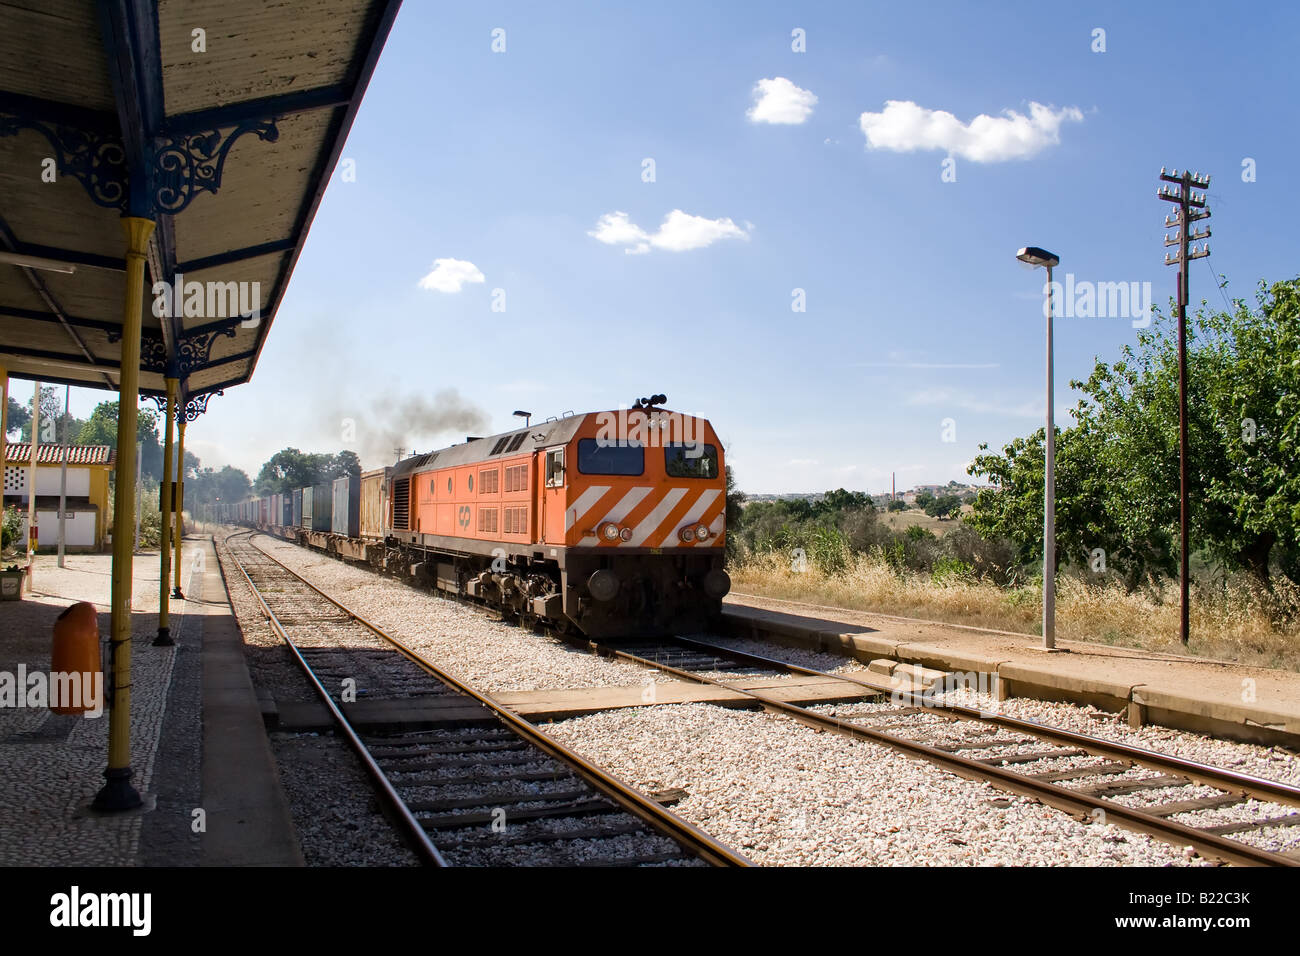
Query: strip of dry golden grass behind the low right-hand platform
{"points": [[1228, 625]]}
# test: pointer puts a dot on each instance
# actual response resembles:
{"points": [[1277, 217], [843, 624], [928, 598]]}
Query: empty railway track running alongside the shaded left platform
{"points": [[467, 781]]}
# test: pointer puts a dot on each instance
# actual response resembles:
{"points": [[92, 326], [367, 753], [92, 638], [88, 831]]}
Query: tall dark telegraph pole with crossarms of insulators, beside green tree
{"points": [[1190, 209]]}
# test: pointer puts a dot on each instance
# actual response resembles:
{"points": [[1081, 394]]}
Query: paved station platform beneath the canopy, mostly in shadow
{"points": [[200, 754]]}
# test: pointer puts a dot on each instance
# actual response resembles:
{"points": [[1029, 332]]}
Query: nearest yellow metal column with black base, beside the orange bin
{"points": [[118, 793]]}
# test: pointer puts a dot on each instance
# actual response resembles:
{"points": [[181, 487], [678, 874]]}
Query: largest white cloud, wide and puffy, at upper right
{"points": [[904, 127]]}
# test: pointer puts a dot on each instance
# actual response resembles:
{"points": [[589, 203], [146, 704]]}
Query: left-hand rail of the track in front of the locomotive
{"points": [[1072, 802]]}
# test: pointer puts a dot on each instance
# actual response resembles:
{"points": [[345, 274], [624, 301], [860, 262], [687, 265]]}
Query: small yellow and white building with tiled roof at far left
{"points": [[86, 504]]}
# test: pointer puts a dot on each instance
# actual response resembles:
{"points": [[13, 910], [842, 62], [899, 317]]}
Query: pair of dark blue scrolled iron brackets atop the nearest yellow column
{"points": [[180, 166]]}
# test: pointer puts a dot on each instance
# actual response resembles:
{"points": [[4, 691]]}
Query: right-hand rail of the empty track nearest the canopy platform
{"points": [[623, 794]]}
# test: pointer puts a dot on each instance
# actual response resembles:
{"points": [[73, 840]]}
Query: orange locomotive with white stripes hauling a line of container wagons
{"points": [[608, 524]]}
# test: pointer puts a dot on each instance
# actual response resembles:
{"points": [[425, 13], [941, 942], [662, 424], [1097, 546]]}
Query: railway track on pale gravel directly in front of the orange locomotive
{"points": [[1073, 772]]}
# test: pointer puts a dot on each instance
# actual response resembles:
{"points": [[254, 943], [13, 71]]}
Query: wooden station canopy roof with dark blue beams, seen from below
{"points": [[222, 120]]}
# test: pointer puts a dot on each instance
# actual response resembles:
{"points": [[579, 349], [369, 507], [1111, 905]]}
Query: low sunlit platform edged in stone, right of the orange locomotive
{"points": [[1220, 698]]}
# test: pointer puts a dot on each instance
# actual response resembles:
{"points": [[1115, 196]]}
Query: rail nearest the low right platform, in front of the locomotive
{"points": [[1249, 785]]}
